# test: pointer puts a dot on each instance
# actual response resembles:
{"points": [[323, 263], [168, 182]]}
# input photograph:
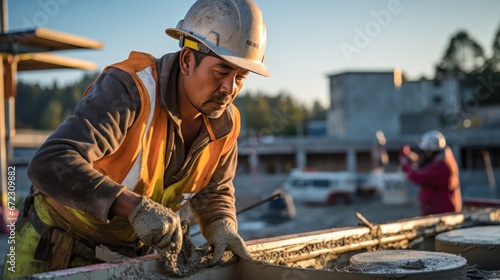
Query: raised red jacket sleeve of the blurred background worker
{"points": [[434, 175]]}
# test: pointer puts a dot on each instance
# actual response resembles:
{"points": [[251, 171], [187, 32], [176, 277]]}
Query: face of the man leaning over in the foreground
{"points": [[212, 85]]}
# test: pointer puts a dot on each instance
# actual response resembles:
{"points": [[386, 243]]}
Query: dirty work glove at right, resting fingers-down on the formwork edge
{"points": [[222, 235]]}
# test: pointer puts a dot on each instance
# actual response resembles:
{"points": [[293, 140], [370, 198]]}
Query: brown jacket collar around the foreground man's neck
{"points": [[168, 70]]}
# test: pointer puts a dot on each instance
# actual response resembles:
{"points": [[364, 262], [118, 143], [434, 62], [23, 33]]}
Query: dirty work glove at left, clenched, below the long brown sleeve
{"points": [[157, 226]]}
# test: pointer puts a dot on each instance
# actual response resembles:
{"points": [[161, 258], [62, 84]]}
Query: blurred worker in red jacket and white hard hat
{"points": [[435, 171]]}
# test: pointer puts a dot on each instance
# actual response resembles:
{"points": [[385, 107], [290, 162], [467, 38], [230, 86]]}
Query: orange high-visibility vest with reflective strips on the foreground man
{"points": [[139, 161]]}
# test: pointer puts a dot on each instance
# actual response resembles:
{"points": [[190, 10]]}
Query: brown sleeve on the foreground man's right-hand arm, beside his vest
{"points": [[216, 201]]}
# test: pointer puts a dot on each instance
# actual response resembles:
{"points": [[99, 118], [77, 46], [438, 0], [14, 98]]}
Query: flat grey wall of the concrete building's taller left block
{"points": [[362, 103]]}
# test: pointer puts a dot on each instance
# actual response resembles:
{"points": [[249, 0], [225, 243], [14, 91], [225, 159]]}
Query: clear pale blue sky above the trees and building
{"points": [[307, 40]]}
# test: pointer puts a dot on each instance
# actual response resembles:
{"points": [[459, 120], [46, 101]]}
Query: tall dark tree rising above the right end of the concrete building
{"points": [[463, 56]]}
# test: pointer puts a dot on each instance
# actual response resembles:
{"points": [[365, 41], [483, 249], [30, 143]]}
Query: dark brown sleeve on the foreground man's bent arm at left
{"points": [[62, 167]]}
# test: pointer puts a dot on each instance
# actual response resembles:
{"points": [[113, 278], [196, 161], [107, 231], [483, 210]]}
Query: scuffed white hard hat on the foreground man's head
{"points": [[233, 29]]}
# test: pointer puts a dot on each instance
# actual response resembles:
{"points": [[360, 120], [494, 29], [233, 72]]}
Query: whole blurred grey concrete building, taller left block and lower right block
{"points": [[364, 102]]}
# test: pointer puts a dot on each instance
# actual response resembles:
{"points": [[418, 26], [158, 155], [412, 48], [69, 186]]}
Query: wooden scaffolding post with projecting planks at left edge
{"points": [[28, 50]]}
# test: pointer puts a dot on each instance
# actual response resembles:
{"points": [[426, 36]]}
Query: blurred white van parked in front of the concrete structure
{"points": [[321, 187]]}
